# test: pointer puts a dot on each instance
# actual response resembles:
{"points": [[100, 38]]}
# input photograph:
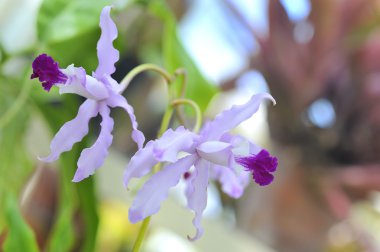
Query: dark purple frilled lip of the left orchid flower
{"points": [[47, 71]]}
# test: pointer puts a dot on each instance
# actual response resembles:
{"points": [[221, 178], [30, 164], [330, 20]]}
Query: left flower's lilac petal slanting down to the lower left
{"points": [[72, 131]]}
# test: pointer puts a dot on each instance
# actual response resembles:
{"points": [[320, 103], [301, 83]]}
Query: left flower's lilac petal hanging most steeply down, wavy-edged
{"points": [[92, 158]]}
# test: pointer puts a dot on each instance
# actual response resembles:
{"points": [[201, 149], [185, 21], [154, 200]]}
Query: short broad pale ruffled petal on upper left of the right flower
{"points": [[167, 147]]}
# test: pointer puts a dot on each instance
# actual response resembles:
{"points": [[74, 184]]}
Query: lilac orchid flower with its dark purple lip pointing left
{"points": [[102, 93]]}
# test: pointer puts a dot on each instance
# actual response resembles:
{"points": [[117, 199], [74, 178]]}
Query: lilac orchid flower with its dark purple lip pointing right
{"points": [[213, 153]]}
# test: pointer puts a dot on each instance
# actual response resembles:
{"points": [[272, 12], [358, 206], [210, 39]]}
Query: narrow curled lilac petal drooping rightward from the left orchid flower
{"points": [[117, 100]]}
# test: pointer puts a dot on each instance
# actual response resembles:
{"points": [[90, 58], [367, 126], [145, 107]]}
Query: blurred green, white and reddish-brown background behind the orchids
{"points": [[320, 59]]}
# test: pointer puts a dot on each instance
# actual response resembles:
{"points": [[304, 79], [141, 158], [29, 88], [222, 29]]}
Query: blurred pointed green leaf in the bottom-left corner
{"points": [[20, 237]]}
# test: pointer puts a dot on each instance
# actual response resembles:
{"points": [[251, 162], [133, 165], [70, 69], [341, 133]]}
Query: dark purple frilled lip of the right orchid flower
{"points": [[260, 165]]}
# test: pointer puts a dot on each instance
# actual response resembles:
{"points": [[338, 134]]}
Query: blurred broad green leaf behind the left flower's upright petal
{"points": [[69, 31]]}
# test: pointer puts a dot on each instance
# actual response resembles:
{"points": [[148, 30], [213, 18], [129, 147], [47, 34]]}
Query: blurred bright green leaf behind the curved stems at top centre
{"points": [[175, 56]]}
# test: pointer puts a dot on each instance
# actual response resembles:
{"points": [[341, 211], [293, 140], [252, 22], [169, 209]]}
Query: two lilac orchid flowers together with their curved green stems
{"points": [[212, 154]]}
